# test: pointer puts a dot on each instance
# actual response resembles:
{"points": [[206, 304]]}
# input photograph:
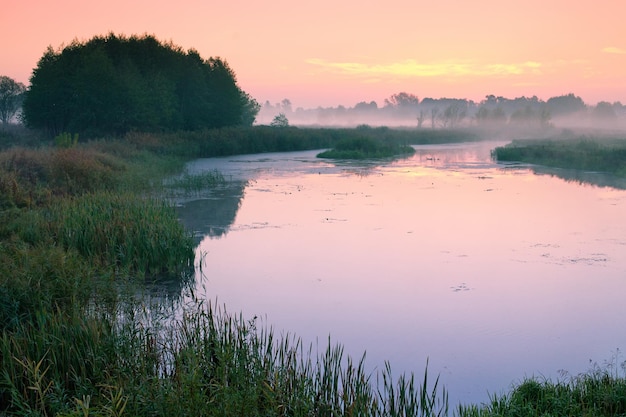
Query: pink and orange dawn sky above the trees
{"points": [[341, 52]]}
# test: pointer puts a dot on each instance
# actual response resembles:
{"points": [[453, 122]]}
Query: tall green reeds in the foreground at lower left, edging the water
{"points": [[207, 363]]}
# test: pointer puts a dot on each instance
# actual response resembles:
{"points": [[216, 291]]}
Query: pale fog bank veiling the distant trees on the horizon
{"points": [[407, 110]]}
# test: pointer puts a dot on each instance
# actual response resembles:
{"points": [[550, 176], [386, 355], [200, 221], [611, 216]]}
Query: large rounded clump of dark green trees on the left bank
{"points": [[115, 84]]}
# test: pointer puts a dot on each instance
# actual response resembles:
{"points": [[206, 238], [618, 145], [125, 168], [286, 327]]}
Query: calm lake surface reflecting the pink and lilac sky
{"points": [[491, 272]]}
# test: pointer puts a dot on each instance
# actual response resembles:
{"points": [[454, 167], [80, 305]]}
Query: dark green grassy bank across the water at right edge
{"points": [[601, 154]]}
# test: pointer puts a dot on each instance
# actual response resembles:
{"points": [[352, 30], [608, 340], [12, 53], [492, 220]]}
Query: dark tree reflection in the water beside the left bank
{"points": [[213, 213]]}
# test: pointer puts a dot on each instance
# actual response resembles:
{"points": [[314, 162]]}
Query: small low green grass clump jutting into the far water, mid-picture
{"points": [[366, 148]]}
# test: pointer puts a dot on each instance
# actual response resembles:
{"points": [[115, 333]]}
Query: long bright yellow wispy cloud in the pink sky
{"points": [[412, 68]]}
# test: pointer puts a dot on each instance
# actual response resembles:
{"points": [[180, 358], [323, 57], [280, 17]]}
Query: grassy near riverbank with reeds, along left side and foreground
{"points": [[80, 335]]}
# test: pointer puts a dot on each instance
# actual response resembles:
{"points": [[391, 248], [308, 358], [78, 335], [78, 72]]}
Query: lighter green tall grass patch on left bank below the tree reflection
{"points": [[108, 229]]}
